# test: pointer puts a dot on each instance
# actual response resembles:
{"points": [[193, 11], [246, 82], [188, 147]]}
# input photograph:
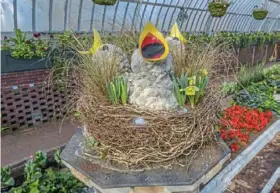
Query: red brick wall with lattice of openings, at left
{"points": [[27, 100]]}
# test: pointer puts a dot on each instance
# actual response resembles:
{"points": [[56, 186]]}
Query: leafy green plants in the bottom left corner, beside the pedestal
{"points": [[38, 178]]}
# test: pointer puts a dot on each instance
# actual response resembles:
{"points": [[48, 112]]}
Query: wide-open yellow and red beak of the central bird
{"points": [[152, 44]]}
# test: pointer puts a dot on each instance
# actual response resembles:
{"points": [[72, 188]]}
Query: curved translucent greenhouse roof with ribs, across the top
{"points": [[83, 15]]}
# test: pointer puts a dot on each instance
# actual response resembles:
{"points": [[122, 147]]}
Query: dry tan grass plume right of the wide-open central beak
{"points": [[215, 58]]}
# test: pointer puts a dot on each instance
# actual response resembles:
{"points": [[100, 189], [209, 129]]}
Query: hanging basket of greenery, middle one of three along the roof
{"points": [[218, 8]]}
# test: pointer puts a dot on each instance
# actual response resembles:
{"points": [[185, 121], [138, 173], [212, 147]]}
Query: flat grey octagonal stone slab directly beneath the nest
{"points": [[106, 178]]}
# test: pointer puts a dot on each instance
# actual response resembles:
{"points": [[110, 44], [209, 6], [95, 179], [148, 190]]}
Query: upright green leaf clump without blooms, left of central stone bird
{"points": [[118, 90]]}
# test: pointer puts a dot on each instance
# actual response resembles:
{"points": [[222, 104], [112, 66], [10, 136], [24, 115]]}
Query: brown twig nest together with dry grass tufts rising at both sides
{"points": [[169, 137]]}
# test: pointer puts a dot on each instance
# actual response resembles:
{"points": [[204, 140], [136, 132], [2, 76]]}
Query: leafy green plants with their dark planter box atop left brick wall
{"points": [[22, 54]]}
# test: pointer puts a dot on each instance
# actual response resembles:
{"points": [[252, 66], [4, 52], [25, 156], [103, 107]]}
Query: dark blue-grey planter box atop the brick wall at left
{"points": [[10, 64]]}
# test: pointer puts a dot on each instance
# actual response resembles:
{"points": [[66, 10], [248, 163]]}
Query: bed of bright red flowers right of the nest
{"points": [[237, 123]]}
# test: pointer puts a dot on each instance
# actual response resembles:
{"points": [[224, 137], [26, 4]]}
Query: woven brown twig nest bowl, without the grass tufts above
{"points": [[170, 137]]}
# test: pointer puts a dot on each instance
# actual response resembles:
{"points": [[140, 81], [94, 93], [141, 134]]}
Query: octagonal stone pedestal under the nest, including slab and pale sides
{"points": [[82, 162]]}
